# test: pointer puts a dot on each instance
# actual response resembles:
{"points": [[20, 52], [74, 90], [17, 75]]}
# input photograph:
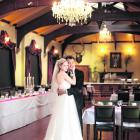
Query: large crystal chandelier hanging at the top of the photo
{"points": [[72, 11]]}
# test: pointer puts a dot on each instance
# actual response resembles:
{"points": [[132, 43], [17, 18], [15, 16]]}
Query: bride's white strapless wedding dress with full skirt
{"points": [[64, 123]]}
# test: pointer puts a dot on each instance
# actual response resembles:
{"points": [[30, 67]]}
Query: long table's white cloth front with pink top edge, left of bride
{"points": [[16, 113]]}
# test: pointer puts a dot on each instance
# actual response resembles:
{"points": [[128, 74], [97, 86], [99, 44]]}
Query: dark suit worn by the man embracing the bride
{"points": [[77, 91]]}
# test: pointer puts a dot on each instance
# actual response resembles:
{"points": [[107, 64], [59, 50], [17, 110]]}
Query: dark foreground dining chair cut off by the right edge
{"points": [[130, 120]]}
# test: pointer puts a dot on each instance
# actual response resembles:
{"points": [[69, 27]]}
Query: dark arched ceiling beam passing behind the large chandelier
{"points": [[48, 19]]}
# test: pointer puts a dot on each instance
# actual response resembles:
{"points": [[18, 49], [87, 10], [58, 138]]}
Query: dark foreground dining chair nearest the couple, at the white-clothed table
{"points": [[104, 120]]}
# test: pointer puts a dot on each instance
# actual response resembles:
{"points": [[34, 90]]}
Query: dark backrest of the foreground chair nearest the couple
{"points": [[104, 114]]}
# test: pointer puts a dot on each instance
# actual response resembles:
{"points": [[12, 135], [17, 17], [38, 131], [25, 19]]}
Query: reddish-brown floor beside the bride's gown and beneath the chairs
{"points": [[37, 130]]}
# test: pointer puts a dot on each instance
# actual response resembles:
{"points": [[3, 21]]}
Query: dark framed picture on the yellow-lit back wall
{"points": [[115, 60]]}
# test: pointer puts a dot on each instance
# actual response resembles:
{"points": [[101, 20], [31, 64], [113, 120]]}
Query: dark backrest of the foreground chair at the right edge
{"points": [[130, 114]]}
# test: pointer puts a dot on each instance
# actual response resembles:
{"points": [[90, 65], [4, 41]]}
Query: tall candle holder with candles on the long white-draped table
{"points": [[29, 84]]}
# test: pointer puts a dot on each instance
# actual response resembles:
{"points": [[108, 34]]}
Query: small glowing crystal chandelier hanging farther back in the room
{"points": [[104, 34]]}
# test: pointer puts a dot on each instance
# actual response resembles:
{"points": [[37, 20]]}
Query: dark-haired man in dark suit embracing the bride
{"points": [[76, 90]]}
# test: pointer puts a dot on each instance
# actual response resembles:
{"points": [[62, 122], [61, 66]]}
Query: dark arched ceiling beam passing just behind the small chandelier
{"points": [[134, 29]]}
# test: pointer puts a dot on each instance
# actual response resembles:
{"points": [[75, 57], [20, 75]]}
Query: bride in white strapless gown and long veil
{"points": [[64, 123]]}
